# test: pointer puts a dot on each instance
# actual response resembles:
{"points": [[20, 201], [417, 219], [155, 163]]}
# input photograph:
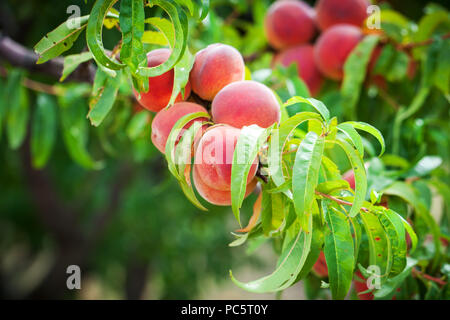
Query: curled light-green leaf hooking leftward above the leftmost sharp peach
{"points": [[179, 38]]}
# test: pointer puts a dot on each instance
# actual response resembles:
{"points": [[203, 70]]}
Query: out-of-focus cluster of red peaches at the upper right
{"points": [[292, 25]]}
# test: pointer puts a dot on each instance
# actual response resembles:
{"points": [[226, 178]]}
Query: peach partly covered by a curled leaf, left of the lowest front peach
{"points": [[165, 120]]}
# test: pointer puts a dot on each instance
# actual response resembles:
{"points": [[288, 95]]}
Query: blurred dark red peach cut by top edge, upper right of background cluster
{"points": [[332, 12]]}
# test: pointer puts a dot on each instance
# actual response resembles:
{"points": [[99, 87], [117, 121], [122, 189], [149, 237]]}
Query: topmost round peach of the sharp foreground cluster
{"points": [[216, 66]]}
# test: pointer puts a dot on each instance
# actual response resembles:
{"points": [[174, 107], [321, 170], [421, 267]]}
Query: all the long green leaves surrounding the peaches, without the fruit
{"points": [[306, 205]]}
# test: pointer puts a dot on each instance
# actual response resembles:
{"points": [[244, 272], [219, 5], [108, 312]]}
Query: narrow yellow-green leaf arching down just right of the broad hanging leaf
{"points": [[360, 176]]}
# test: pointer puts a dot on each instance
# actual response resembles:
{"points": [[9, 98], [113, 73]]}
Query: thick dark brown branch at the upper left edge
{"points": [[19, 56]]}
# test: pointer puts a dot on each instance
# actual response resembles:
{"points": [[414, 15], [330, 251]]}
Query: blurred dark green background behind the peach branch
{"points": [[128, 225]]}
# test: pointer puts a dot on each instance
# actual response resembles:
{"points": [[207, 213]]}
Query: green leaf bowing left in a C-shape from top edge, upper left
{"points": [[94, 35]]}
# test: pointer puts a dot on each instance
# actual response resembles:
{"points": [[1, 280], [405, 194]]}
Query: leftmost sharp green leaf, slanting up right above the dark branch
{"points": [[59, 40]]}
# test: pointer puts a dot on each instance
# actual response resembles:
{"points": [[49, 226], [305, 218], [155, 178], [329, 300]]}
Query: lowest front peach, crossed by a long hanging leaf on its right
{"points": [[213, 163]]}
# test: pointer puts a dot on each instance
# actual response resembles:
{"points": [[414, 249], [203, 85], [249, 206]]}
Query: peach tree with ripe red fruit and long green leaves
{"points": [[238, 118]]}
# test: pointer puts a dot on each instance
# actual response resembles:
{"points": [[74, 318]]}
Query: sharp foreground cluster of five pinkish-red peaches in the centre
{"points": [[217, 78]]}
